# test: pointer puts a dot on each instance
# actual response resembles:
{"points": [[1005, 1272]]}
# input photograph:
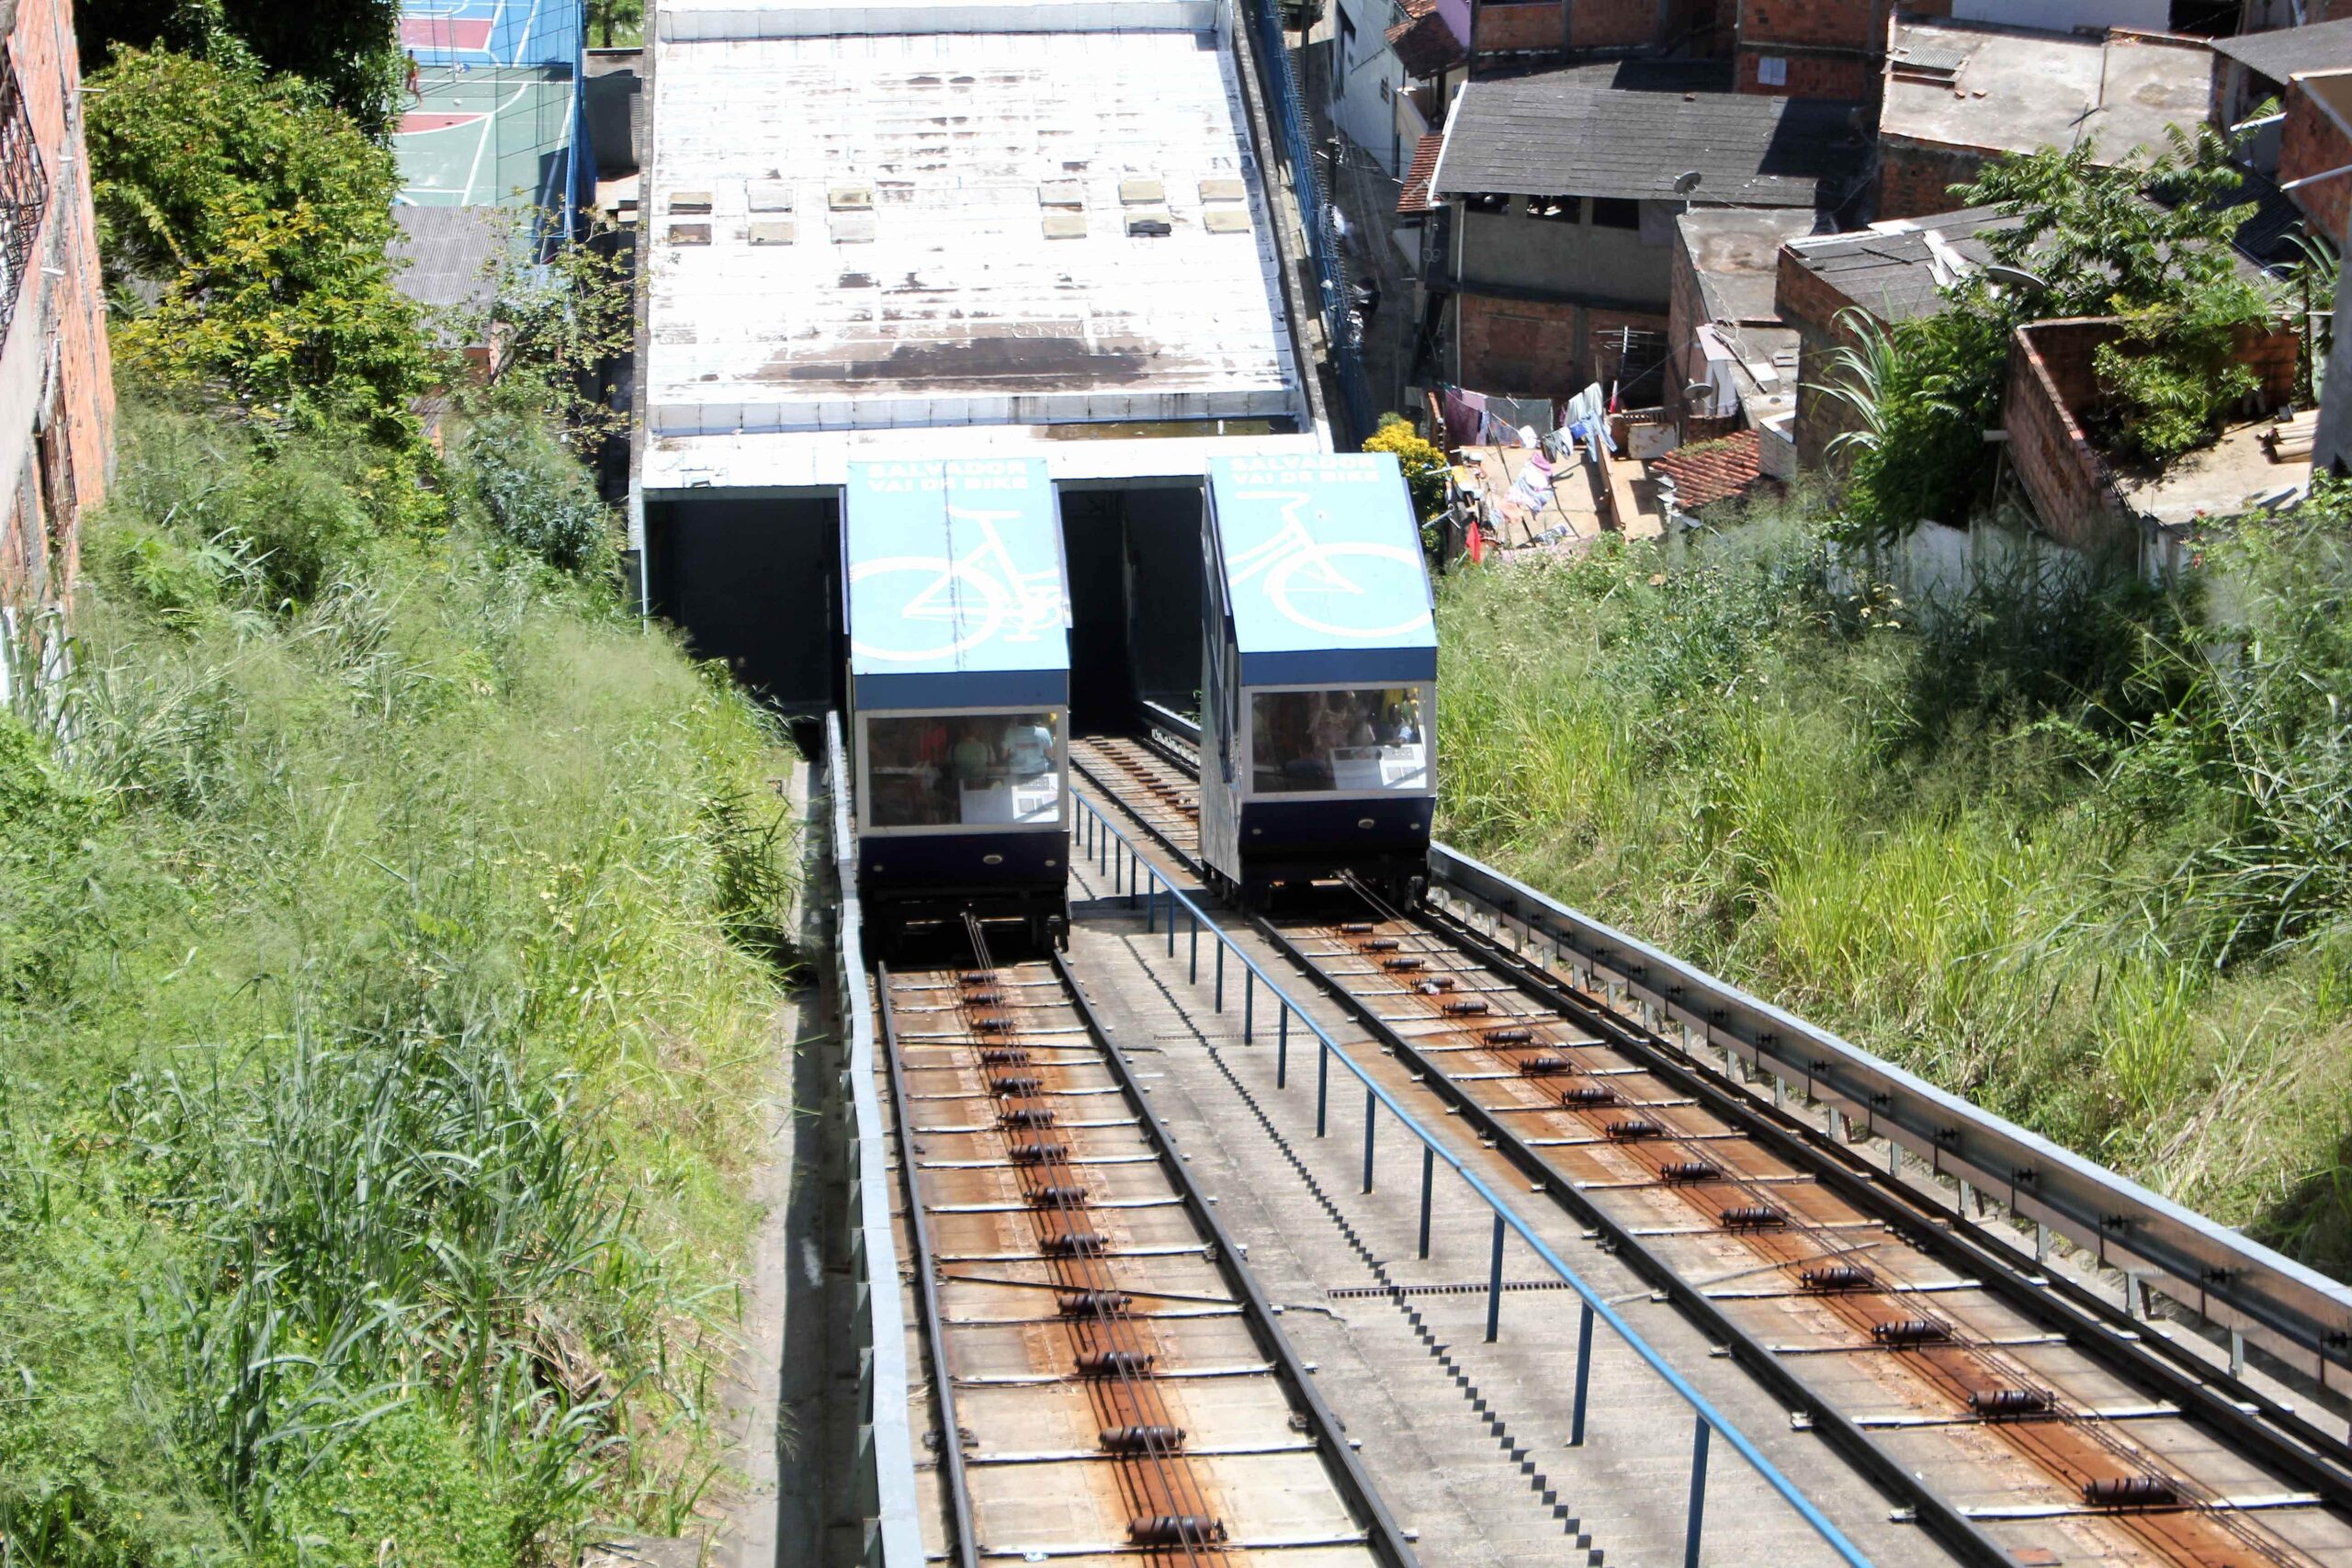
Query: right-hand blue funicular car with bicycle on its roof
{"points": [[1321, 678]]}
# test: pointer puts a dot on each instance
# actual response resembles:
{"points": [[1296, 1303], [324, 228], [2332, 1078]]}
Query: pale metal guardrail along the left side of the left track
{"points": [[886, 1463]]}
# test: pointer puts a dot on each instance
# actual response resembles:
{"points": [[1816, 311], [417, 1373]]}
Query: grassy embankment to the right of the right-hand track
{"points": [[2043, 855]]}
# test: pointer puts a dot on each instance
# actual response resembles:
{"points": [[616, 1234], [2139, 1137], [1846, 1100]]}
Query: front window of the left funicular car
{"points": [[996, 770]]}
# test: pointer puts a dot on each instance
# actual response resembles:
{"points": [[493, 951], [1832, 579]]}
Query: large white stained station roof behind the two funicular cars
{"points": [[947, 302]]}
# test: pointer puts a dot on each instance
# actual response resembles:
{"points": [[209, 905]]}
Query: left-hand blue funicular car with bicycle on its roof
{"points": [[958, 695]]}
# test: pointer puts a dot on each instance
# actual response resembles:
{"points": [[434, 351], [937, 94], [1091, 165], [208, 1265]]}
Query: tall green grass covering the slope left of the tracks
{"points": [[389, 953]]}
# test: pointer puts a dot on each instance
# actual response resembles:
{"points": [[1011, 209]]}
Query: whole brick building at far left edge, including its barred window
{"points": [[58, 403]]}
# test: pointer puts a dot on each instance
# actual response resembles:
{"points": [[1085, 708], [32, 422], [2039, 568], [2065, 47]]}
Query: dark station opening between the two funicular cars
{"points": [[1135, 601]]}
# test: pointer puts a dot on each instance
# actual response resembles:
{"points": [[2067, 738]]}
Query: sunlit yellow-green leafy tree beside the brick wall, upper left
{"points": [[262, 220]]}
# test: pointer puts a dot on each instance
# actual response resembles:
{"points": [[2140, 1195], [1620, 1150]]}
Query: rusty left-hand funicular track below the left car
{"points": [[1111, 1388]]}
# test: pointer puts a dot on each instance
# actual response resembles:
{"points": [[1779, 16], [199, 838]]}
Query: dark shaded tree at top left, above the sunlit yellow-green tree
{"points": [[345, 51]]}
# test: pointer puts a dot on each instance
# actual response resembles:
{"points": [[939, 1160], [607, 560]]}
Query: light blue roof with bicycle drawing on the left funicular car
{"points": [[956, 584]]}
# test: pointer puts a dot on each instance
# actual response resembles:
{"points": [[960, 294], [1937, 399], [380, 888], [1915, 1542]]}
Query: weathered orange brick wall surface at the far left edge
{"points": [[60, 316]]}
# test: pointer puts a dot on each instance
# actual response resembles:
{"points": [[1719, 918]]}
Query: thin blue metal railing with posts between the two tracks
{"points": [[1121, 859]]}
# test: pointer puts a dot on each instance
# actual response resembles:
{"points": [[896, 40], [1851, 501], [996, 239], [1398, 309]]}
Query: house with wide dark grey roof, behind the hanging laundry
{"points": [[1563, 189]]}
